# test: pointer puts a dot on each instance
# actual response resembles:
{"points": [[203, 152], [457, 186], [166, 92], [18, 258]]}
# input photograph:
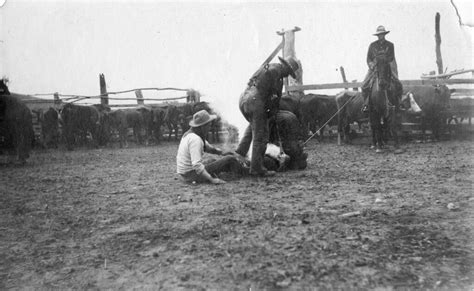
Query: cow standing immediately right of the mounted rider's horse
{"points": [[434, 103]]}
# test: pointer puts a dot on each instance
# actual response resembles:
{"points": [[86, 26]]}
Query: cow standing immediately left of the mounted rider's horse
{"points": [[349, 105]]}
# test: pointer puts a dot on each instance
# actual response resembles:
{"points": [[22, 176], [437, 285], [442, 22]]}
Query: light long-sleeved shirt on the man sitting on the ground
{"points": [[190, 153]]}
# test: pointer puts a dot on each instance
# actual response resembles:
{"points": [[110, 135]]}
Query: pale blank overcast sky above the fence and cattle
{"points": [[214, 47]]}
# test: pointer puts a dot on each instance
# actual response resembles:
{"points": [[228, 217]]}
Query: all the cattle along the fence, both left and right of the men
{"points": [[100, 125]]}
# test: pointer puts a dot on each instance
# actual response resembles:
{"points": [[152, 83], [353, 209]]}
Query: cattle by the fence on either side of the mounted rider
{"points": [[424, 104]]}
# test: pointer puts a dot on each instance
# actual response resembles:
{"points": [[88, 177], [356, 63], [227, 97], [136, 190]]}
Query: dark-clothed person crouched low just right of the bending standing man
{"points": [[285, 128]]}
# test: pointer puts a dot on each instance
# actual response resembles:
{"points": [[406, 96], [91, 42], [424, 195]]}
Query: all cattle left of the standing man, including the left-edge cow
{"points": [[96, 125]]}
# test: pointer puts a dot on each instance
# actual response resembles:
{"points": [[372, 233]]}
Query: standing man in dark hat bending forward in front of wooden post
{"points": [[258, 103]]}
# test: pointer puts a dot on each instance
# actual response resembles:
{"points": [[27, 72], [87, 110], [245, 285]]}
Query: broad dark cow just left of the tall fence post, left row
{"points": [[78, 122]]}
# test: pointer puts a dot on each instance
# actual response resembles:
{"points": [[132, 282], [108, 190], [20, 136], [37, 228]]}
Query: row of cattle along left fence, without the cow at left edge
{"points": [[101, 123]]}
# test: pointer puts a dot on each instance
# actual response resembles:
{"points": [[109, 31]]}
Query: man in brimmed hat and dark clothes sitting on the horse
{"points": [[380, 48]]}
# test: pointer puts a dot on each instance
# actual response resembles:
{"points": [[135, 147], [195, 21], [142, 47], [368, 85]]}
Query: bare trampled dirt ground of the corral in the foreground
{"points": [[120, 219]]}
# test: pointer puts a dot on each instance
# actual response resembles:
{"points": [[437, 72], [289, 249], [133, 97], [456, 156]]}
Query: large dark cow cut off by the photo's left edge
{"points": [[16, 126]]}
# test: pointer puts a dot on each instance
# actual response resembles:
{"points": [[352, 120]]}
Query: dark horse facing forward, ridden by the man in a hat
{"points": [[384, 109]]}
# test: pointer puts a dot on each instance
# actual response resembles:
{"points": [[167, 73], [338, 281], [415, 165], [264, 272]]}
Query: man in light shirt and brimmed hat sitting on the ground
{"points": [[189, 160]]}
